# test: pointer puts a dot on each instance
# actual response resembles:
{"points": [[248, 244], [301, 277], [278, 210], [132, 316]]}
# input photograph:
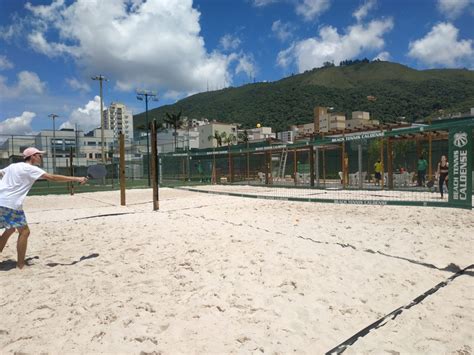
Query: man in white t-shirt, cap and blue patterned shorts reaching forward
{"points": [[15, 183]]}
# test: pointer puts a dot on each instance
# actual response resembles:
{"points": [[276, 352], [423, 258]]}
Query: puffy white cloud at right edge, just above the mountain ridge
{"points": [[441, 47]]}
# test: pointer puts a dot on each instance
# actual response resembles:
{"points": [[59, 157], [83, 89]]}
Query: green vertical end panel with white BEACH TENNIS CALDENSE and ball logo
{"points": [[460, 167]]}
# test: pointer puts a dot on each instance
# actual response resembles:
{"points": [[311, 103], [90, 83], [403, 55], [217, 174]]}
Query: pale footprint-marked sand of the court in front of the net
{"points": [[220, 274]]}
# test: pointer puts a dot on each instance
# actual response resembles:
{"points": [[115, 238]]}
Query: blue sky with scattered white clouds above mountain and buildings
{"points": [[50, 49]]}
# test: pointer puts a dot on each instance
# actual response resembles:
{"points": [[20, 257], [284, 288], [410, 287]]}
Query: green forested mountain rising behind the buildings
{"points": [[386, 90]]}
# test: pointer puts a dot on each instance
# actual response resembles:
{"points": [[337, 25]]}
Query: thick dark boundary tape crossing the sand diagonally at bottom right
{"points": [[339, 349]]}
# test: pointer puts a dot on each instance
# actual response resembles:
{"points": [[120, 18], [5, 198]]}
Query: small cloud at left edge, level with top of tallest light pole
{"points": [[28, 84]]}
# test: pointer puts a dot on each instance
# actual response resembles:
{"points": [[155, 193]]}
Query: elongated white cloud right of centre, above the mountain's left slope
{"points": [[330, 46]]}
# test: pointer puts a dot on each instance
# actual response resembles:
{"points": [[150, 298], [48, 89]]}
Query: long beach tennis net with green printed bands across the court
{"points": [[391, 167]]}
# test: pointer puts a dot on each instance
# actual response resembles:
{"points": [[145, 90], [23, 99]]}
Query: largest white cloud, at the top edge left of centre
{"points": [[155, 44]]}
